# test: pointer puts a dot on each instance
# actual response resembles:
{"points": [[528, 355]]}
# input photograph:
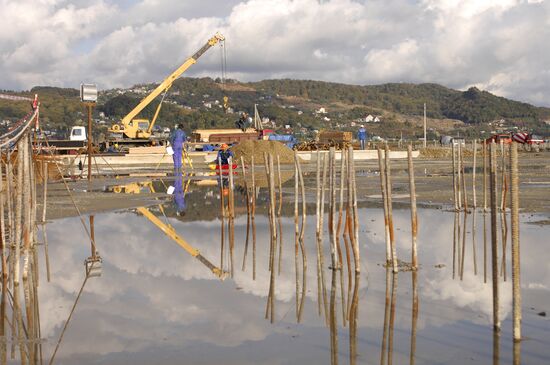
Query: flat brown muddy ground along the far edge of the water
{"points": [[433, 178]]}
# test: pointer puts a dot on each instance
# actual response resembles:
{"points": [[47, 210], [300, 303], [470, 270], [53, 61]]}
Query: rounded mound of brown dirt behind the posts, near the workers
{"points": [[247, 149]]}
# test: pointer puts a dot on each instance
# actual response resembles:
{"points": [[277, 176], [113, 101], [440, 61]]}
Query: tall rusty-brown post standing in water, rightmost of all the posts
{"points": [[516, 287]]}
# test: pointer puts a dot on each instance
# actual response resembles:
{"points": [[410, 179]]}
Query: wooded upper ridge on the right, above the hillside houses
{"points": [[471, 106]]}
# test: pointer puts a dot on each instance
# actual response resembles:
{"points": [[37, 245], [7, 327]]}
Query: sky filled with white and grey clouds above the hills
{"points": [[498, 45]]}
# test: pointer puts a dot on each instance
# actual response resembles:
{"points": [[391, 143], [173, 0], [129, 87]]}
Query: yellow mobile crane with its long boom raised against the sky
{"points": [[132, 128]]}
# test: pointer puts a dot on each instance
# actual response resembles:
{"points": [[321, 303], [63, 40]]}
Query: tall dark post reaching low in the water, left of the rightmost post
{"points": [[494, 236]]}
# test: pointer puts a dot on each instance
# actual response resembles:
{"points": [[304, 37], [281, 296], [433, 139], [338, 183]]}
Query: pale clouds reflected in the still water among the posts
{"points": [[153, 293]]}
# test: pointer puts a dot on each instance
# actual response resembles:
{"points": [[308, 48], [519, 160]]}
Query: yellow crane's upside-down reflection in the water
{"points": [[166, 228]]}
